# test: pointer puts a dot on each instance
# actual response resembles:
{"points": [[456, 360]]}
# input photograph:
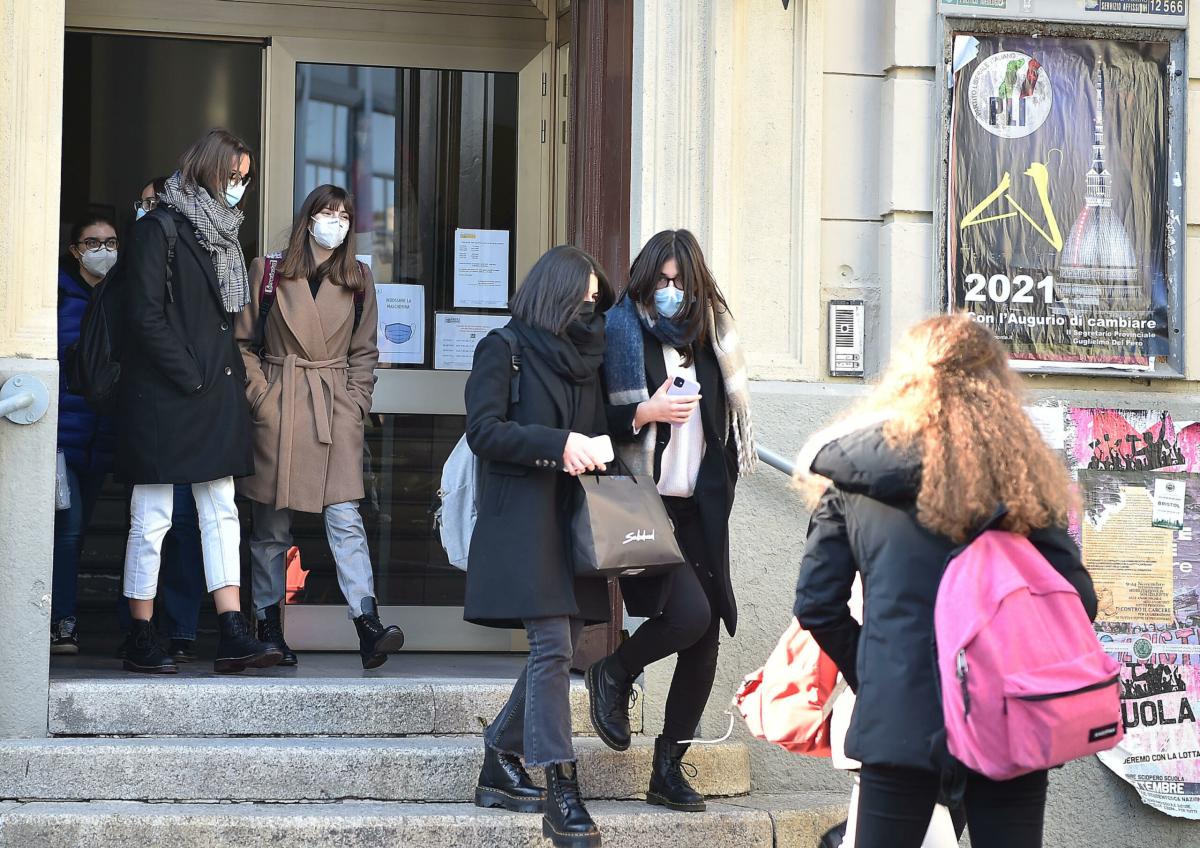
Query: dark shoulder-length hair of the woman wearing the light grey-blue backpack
{"points": [[553, 294]]}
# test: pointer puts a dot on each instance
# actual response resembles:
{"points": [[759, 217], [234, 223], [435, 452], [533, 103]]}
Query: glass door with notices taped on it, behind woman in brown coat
{"points": [[449, 172]]}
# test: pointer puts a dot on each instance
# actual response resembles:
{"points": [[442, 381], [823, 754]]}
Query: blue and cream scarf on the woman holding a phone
{"points": [[626, 376]]}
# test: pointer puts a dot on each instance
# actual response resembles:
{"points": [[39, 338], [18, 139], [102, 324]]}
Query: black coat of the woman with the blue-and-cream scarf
{"points": [[715, 485]]}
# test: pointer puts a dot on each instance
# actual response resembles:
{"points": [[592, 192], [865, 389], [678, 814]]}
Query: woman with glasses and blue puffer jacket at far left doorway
{"points": [[86, 438]]}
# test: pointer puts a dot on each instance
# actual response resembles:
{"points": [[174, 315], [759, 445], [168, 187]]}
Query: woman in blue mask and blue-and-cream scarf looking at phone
{"points": [[671, 333]]}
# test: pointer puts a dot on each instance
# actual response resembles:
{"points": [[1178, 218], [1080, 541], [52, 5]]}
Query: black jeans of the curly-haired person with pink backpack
{"points": [[895, 807]]}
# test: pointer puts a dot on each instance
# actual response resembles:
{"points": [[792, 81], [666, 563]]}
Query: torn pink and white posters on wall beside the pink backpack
{"points": [[1139, 530]]}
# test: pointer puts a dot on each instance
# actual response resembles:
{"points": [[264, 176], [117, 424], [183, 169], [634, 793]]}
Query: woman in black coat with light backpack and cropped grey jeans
{"points": [[533, 404]]}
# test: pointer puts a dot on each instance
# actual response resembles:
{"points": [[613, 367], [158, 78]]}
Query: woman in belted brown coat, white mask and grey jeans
{"points": [[310, 370]]}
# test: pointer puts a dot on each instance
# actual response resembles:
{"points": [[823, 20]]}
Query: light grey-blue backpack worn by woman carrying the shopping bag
{"points": [[463, 479]]}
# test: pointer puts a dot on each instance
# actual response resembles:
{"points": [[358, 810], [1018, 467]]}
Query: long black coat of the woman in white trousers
{"points": [[182, 412]]}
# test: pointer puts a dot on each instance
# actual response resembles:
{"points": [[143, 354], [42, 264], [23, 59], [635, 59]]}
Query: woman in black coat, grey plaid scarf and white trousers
{"points": [[182, 411]]}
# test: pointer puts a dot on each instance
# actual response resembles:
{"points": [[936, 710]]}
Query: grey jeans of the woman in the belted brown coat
{"points": [[272, 538]]}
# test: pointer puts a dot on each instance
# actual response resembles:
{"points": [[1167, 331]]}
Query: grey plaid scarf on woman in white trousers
{"points": [[217, 225]]}
